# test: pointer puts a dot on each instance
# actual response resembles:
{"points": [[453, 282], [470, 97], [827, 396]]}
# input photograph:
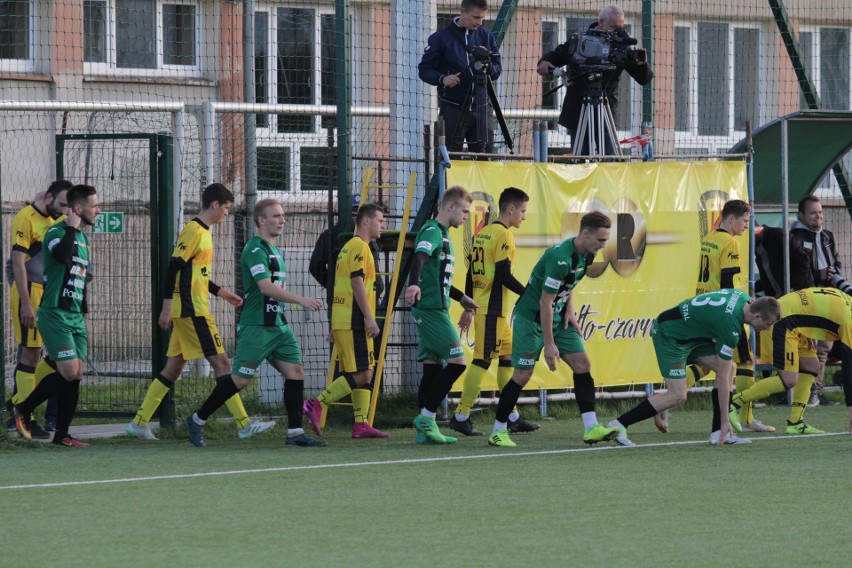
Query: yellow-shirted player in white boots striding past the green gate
{"points": [[186, 305]]}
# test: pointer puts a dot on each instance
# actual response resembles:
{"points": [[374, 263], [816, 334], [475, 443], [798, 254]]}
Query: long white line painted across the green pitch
{"points": [[381, 463]]}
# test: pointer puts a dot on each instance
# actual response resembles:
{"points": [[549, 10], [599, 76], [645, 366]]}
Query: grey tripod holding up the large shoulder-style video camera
{"points": [[597, 125]]}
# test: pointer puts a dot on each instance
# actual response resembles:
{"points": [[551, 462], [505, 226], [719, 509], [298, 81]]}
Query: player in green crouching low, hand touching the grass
{"points": [[703, 330]]}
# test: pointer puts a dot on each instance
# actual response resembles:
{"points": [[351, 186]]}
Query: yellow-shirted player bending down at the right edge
{"points": [[822, 314]]}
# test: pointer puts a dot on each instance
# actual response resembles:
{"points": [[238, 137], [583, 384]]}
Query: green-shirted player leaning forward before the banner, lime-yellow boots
{"points": [[545, 320]]}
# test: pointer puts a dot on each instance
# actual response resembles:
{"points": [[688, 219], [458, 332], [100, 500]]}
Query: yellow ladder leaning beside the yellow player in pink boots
{"points": [[384, 320]]}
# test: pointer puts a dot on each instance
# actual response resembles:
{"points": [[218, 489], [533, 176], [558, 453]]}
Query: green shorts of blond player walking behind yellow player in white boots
{"points": [[256, 343]]}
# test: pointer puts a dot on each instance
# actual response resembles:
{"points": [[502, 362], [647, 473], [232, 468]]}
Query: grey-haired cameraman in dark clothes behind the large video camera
{"points": [[610, 19]]}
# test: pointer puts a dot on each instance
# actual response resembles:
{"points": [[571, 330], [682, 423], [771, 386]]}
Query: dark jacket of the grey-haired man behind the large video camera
{"points": [[573, 103]]}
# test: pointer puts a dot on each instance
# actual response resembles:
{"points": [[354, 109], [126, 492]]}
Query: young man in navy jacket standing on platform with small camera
{"points": [[448, 62]]}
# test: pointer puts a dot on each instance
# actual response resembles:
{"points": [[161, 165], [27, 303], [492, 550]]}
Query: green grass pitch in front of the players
{"points": [[778, 501]]}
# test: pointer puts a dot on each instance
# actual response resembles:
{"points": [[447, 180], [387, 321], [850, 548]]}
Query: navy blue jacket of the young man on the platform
{"points": [[446, 55]]}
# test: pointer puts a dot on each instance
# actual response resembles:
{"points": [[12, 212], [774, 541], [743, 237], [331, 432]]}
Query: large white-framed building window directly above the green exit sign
{"points": [[141, 35]]}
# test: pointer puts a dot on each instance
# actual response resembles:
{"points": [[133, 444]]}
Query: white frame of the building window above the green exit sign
{"points": [[110, 66]]}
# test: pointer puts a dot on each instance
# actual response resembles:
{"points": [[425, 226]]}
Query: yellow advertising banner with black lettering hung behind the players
{"points": [[660, 212]]}
